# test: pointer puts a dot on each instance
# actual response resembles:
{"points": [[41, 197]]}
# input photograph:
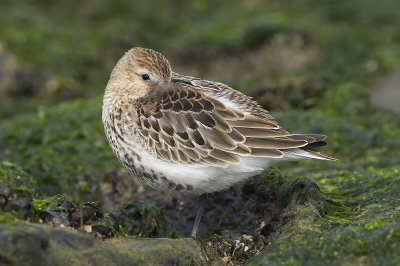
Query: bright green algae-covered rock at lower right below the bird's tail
{"points": [[359, 222]]}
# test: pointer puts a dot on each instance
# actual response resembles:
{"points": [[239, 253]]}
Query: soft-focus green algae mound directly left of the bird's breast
{"points": [[63, 147]]}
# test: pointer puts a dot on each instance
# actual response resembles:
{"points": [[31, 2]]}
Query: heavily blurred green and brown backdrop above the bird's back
{"points": [[53, 51]]}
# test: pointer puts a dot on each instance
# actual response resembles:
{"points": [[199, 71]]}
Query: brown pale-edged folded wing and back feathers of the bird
{"points": [[186, 124]]}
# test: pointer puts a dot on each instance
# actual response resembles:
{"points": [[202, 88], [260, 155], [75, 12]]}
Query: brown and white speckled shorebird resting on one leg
{"points": [[185, 134]]}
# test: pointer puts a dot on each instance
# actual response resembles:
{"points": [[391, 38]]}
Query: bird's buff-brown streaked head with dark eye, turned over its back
{"points": [[138, 72]]}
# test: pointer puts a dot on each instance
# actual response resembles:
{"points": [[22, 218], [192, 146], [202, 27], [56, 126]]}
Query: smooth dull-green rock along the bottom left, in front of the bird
{"points": [[33, 244]]}
